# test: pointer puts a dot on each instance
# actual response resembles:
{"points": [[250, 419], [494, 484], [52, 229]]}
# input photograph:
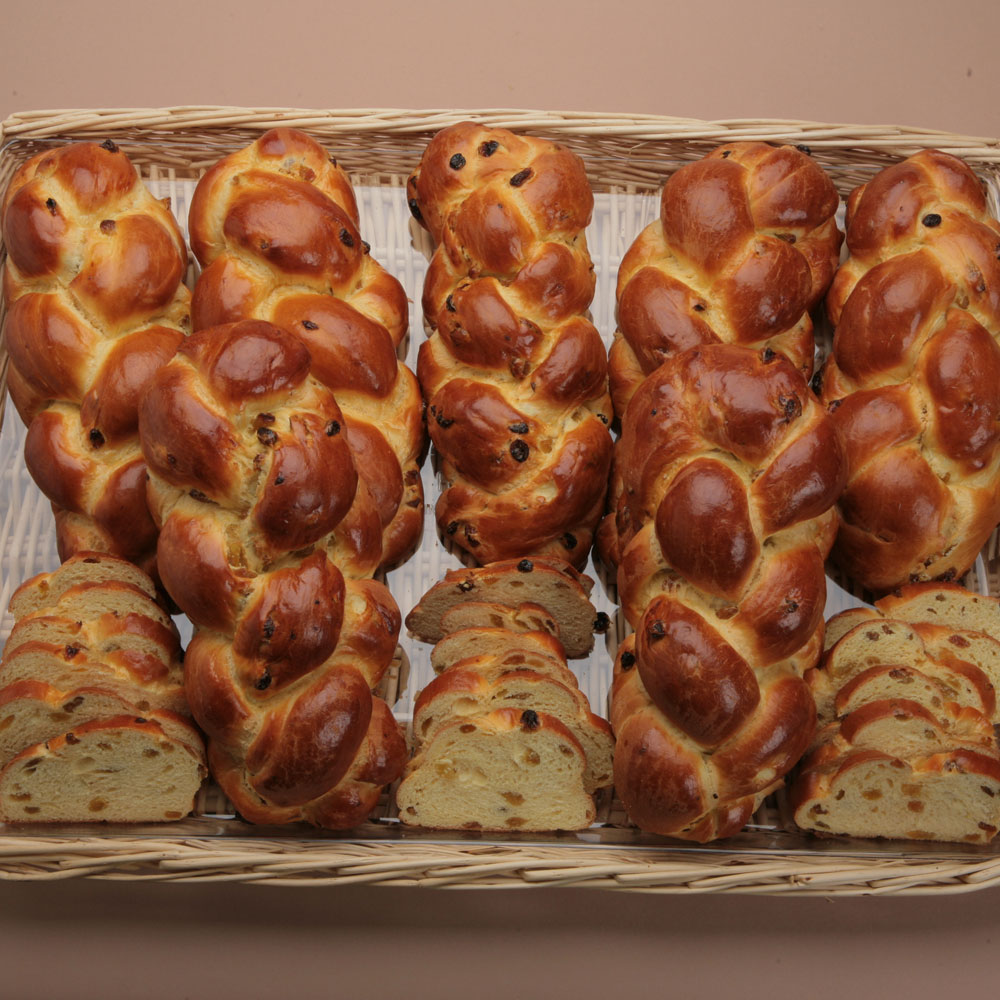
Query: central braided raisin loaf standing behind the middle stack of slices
{"points": [[514, 374]]}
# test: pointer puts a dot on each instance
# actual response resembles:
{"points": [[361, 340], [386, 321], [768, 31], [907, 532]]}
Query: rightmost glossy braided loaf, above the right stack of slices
{"points": [[914, 378]]}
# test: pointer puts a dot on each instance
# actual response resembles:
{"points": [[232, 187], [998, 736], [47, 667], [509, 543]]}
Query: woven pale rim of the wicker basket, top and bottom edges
{"points": [[470, 865]]}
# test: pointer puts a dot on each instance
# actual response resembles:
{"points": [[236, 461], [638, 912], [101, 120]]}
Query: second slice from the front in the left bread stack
{"points": [[32, 712]]}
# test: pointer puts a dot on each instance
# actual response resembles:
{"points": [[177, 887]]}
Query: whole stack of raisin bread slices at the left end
{"points": [[93, 720]]}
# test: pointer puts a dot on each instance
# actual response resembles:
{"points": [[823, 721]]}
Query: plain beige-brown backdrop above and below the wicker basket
{"points": [[932, 63]]}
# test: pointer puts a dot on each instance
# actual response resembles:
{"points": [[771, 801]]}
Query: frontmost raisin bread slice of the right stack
{"points": [[952, 796]]}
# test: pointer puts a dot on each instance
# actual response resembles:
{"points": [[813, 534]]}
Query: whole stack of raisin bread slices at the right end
{"points": [[906, 699]]}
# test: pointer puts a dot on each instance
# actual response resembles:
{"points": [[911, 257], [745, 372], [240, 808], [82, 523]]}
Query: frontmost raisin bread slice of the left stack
{"points": [[122, 770]]}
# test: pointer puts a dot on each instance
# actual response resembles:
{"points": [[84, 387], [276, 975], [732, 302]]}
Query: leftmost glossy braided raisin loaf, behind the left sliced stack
{"points": [[93, 281]]}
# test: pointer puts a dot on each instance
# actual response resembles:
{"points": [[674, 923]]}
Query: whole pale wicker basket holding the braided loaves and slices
{"points": [[628, 158]]}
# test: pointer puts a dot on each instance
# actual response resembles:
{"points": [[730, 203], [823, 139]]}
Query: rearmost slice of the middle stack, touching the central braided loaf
{"points": [[552, 584]]}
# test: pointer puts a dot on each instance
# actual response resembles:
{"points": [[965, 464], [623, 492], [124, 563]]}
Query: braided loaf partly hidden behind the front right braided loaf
{"points": [[745, 245]]}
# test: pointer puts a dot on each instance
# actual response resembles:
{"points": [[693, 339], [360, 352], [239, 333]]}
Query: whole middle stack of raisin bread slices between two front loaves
{"points": [[503, 737]]}
